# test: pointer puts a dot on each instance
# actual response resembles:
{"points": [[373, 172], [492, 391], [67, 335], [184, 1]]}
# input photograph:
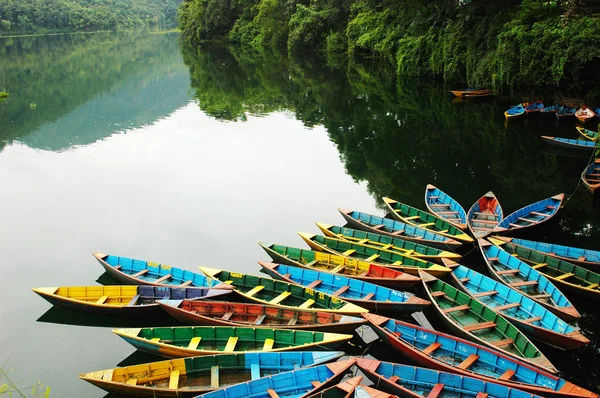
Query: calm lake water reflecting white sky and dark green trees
{"points": [[139, 148]]}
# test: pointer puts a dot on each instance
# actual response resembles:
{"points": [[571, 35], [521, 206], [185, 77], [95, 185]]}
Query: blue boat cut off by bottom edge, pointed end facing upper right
{"points": [[294, 384]]}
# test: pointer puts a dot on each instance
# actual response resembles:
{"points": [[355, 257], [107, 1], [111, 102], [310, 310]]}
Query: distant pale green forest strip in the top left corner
{"points": [[42, 16]]}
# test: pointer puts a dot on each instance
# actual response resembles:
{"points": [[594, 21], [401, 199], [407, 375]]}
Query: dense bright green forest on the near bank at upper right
{"points": [[499, 44]]}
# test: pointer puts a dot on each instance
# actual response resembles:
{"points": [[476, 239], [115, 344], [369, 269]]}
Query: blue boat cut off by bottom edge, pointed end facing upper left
{"points": [[412, 381]]}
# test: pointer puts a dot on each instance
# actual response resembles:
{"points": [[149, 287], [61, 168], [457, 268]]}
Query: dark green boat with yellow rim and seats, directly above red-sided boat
{"points": [[282, 294]]}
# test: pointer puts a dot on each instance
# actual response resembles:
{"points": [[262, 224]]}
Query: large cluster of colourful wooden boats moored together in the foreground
{"points": [[255, 336]]}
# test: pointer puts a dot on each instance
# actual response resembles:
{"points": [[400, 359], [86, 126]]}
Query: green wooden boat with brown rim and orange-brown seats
{"points": [[475, 321]]}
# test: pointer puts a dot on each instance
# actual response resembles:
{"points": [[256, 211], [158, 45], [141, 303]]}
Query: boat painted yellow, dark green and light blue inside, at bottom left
{"points": [[189, 377]]}
